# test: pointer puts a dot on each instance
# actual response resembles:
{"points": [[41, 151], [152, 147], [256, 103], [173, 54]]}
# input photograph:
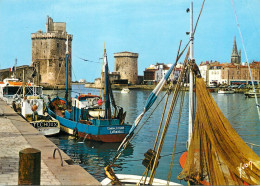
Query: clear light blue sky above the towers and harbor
{"points": [[151, 28]]}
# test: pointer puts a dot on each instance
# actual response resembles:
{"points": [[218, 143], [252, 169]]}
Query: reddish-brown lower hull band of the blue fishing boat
{"points": [[109, 138]]}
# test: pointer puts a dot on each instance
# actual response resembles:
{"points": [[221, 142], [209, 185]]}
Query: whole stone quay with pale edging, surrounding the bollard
{"points": [[15, 135]]}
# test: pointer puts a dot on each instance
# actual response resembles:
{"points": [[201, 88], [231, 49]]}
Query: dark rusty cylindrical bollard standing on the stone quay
{"points": [[29, 167]]}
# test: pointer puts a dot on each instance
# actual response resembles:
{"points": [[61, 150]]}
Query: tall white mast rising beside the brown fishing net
{"points": [[191, 77]]}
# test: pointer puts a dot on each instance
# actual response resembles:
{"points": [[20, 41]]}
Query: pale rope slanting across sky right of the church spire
{"points": [[244, 49]]}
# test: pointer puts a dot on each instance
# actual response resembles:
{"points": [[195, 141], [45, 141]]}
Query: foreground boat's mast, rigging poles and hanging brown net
{"points": [[216, 154]]}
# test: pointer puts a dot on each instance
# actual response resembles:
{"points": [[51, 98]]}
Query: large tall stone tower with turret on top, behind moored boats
{"points": [[49, 55]]}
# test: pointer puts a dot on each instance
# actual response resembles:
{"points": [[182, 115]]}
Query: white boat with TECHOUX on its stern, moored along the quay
{"points": [[27, 100]]}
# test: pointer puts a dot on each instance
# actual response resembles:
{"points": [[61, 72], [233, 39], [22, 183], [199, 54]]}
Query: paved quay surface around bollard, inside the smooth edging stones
{"points": [[11, 142]]}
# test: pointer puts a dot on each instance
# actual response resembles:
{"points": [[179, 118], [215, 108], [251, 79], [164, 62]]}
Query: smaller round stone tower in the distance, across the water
{"points": [[126, 65]]}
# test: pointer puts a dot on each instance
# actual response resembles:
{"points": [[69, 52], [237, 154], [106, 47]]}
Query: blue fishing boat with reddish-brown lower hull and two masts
{"points": [[90, 116]]}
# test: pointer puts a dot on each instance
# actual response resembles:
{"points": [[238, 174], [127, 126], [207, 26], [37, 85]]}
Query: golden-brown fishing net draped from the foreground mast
{"points": [[217, 155]]}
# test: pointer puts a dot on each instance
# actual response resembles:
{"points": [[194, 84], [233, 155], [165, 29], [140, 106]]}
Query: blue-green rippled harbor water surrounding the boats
{"points": [[94, 156]]}
